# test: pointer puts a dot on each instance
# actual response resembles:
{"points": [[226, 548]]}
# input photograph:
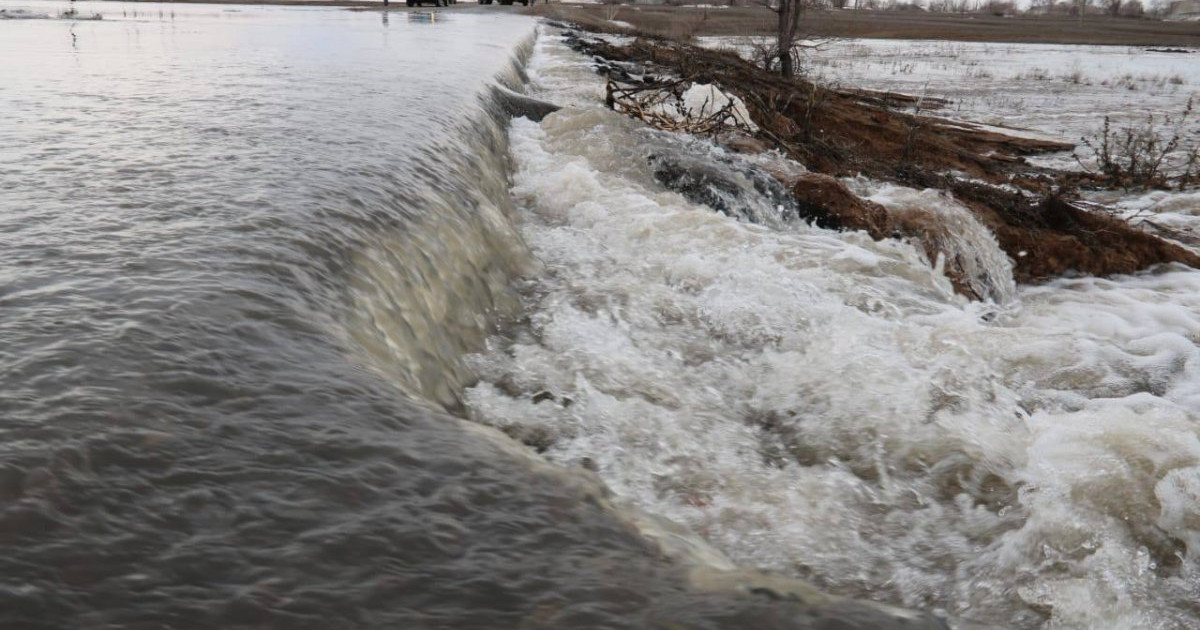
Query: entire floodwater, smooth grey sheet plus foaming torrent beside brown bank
{"points": [[261, 265]]}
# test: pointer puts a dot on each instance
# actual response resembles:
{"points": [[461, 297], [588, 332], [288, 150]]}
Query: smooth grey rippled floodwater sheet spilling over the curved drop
{"points": [[244, 250]]}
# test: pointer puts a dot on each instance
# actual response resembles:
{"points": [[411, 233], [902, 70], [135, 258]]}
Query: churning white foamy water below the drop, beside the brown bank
{"points": [[825, 406]]}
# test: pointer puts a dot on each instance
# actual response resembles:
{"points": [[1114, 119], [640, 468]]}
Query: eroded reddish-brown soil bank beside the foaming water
{"points": [[848, 133]]}
